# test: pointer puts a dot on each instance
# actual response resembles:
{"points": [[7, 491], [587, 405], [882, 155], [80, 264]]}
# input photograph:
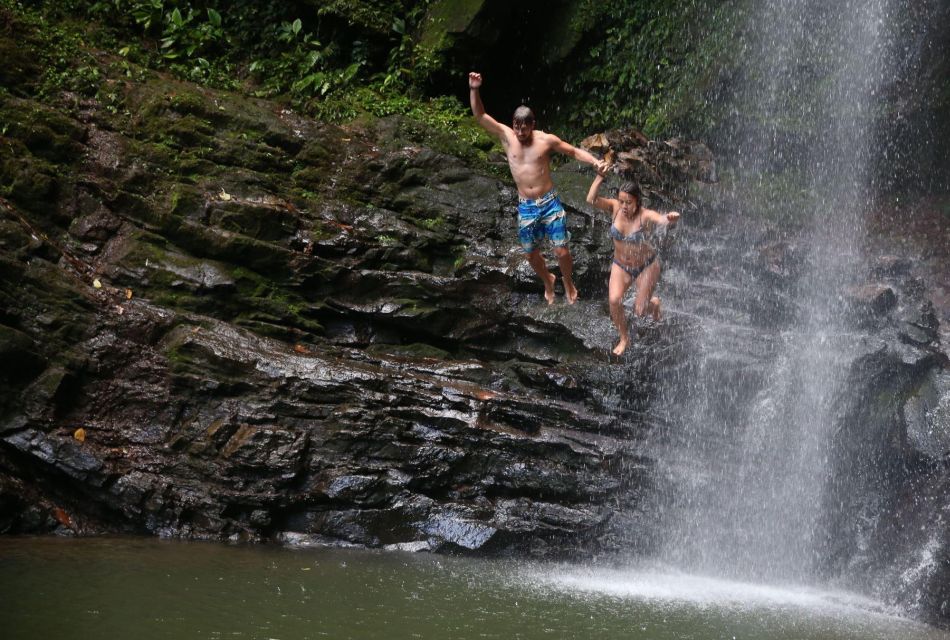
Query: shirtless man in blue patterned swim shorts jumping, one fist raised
{"points": [[540, 213]]}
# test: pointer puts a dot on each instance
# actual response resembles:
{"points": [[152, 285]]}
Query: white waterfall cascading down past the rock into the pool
{"points": [[744, 460]]}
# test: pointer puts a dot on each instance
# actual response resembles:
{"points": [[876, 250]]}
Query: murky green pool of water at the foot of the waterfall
{"points": [[101, 589]]}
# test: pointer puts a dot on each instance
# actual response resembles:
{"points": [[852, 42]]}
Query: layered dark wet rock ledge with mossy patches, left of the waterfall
{"points": [[223, 321]]}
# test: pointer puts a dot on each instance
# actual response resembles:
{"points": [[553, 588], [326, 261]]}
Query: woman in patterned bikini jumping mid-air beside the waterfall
{"points": [[634, 261]]}
